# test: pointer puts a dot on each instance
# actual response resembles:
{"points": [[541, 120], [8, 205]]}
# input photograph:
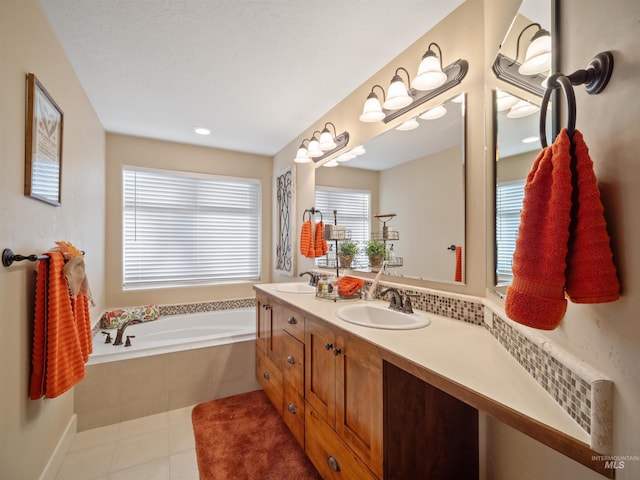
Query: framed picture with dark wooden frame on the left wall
{"points": [[43, 145]]}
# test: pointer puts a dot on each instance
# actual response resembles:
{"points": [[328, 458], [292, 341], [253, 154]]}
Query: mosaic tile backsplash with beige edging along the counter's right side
{"points": [[583, 392]]}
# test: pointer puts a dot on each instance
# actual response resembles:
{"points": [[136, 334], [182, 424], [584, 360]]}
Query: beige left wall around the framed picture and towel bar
{"points": [[30, 430]]}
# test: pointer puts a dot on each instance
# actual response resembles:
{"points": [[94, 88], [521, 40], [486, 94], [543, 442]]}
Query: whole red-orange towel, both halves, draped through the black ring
{"points": [[562, 240]]}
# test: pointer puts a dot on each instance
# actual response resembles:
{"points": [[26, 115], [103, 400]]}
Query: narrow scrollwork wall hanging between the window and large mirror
{"points": [[284, 249]]}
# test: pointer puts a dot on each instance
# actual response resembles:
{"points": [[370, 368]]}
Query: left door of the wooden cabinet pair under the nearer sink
{"points": [[320, 372]]}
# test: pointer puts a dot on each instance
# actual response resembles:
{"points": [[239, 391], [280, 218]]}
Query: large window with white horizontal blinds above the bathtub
{"points": [[189, 229]]}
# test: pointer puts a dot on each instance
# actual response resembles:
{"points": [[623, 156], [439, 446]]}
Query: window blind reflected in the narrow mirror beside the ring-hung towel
{"points": [[509, 197]]}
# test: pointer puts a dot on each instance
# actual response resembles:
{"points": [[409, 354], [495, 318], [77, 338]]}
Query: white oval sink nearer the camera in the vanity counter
{"points": [[380, 316]]}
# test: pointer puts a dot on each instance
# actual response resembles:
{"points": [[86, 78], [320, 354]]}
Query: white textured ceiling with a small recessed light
{"points": [[255, 72]]}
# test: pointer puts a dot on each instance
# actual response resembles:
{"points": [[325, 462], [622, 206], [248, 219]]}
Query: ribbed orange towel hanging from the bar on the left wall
{"points": [[58, 358]]}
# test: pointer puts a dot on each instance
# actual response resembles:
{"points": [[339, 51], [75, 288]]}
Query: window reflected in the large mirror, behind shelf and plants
{"points": [[353, 209]]}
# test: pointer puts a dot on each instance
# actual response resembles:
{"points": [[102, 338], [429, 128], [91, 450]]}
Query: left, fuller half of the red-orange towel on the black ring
{"points": [[536, 295]]}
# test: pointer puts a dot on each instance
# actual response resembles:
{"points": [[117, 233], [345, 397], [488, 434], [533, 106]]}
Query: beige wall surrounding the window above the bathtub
{"points": [[125, 150]]}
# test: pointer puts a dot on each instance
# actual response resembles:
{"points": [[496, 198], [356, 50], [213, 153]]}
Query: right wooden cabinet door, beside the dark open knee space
{"points": [[359, 417]]}
